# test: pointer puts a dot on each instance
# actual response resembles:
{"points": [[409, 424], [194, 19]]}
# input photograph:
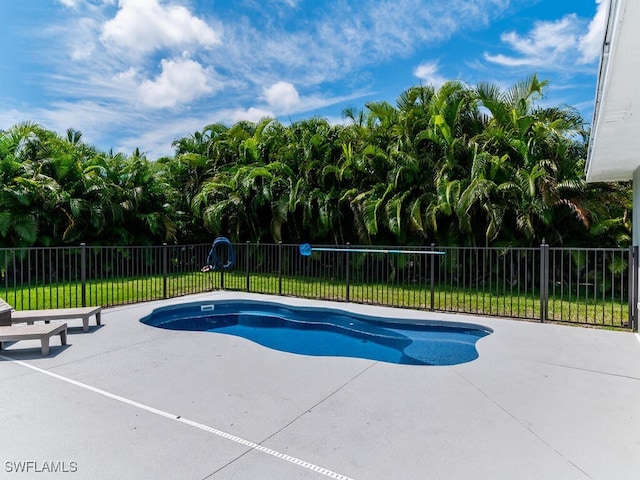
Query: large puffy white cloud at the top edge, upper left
{"points": [[142, 26]]}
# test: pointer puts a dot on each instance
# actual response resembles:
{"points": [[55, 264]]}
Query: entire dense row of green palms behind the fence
{"points": [[457, 165]]}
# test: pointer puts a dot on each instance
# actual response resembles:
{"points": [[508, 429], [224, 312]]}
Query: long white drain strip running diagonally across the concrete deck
{"points": [[247, 443]]}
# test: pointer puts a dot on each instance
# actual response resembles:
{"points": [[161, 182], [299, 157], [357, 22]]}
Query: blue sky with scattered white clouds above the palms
{"points": [[141, 73]]}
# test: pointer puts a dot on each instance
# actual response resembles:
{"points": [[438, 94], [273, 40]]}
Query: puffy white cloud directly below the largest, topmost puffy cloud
{"points": [[181, 81]]}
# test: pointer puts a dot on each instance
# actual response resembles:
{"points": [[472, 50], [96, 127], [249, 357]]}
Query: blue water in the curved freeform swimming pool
{"points": [[327, 332]]}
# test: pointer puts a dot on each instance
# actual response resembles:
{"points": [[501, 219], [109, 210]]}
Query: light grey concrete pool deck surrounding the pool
{"points": [[130, 401]]}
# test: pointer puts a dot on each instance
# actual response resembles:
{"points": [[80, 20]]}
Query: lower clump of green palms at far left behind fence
{"points": [[57, 190]]}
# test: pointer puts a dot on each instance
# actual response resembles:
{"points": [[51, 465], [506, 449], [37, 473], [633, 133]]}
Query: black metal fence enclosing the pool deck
{"points": [[595, 286]]}
